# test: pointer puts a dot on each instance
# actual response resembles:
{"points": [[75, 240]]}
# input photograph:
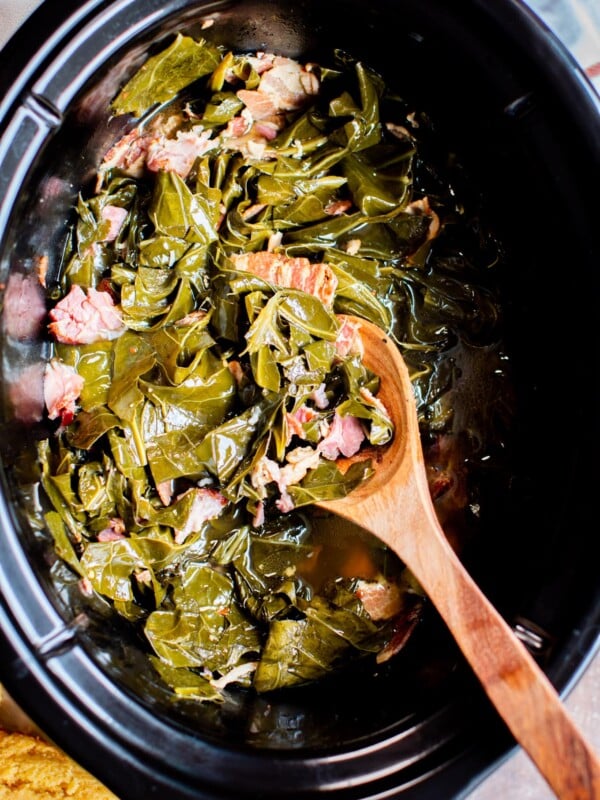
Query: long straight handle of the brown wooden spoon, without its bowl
{"points": [[517, 687]]}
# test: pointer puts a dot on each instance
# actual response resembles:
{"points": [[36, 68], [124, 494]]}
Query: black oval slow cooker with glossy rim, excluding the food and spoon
{"points": [[527, 126]]}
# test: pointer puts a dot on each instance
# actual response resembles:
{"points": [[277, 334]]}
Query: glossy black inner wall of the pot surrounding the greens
{"points": [[497, 111]]}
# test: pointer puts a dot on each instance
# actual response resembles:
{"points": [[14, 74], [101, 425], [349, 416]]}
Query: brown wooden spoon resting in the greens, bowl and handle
{"points": [[396, 506]]}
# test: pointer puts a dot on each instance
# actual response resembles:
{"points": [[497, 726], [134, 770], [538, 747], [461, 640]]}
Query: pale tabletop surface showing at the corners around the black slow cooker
{"points": [[577, 23]]}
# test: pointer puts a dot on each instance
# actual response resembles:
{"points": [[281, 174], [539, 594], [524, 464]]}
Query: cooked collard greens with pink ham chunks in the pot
{"points": [[254, 203]]}
